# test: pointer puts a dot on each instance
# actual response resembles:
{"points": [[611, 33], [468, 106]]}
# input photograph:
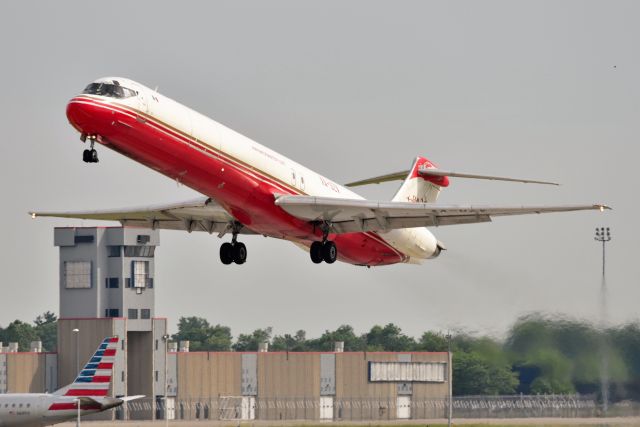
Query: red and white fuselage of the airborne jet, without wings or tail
{"points": [[239, 173]]}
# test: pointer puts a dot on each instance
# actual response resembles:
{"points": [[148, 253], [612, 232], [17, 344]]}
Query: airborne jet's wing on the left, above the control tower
{"points": [[202, 214]]}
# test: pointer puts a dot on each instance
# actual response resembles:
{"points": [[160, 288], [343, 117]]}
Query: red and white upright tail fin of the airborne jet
{"points": [[421, 188]]}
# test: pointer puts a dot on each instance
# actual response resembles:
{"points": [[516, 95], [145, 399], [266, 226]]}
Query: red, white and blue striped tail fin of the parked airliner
{"points": [[94, 380]]}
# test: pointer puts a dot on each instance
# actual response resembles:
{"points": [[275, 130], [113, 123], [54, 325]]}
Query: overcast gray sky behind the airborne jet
{"points": [[543, 89]]}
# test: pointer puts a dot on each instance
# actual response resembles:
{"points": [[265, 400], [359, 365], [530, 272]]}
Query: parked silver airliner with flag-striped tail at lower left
{"points": [[88, 391]]}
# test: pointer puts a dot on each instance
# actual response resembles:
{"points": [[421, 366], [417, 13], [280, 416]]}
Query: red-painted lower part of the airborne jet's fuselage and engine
{"points": [[246, 193]]}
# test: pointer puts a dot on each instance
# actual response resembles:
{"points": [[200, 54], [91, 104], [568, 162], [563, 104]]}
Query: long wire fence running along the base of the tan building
{"points": [[372, 409]]}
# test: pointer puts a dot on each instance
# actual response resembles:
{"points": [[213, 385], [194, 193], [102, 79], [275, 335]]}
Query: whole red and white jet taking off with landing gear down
{"points": [[251, 189]]}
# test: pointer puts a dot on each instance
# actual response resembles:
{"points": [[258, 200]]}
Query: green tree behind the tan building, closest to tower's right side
{"points": [[202, 336]]}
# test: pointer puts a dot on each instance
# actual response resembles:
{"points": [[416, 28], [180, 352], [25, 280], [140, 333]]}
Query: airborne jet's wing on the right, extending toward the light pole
{"points": [[349, 215]]}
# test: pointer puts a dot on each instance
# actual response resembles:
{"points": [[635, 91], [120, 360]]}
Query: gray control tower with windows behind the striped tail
{"points": [[107, 288]]}
